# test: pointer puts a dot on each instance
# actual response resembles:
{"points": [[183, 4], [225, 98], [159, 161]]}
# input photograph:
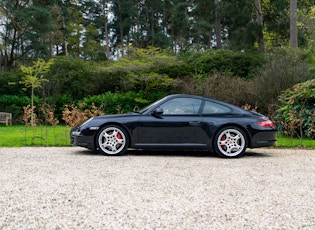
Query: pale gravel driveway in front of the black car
{"points": [[72, 188]]}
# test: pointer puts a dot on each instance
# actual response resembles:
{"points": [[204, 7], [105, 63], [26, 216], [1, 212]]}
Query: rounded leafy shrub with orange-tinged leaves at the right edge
{"points": [[296, 116]]}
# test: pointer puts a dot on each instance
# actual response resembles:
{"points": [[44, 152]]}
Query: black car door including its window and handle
{"points": [[180, 125]]}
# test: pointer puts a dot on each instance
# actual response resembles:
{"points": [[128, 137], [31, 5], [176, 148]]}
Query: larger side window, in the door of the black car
{"points": [[188, 106]]}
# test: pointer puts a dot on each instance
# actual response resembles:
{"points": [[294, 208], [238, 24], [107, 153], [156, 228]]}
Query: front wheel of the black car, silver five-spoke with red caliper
{"points": [[112, 140]]}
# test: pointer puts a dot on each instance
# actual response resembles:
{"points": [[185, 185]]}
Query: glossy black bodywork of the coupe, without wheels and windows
{"points": [[152, 128]]}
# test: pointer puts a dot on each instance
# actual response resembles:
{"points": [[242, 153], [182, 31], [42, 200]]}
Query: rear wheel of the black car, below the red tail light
{"points": [[230, 142]]}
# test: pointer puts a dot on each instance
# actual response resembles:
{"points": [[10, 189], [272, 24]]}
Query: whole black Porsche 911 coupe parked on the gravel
{"points": [[178, 122]]}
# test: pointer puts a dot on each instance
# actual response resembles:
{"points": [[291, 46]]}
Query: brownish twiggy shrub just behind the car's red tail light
{"points": [[282, 70]]}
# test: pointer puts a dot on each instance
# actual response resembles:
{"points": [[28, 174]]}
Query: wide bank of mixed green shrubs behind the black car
{"points": [[149, 72]]}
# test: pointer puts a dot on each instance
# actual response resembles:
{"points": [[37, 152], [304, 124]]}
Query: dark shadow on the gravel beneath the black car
{"points": [[168, 153]]}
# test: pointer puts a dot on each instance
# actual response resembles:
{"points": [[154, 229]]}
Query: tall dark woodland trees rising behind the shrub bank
{"points": [[104, 30]]}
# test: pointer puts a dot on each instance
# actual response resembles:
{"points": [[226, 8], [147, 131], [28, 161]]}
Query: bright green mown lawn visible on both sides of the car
{"points": [[18, 135]]}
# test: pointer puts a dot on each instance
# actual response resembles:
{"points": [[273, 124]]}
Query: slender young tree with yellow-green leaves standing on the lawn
{"points": [[34, 78]]}
